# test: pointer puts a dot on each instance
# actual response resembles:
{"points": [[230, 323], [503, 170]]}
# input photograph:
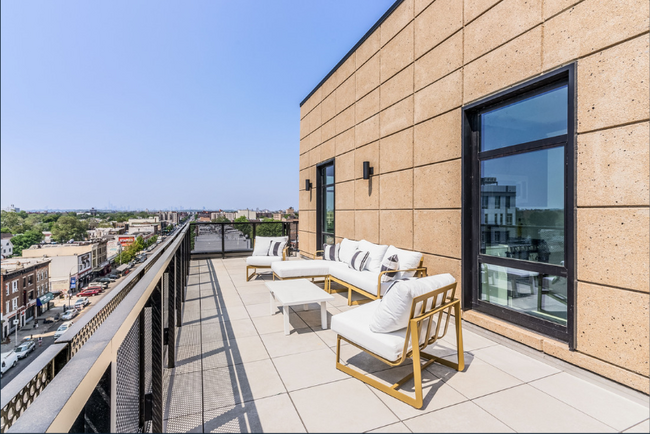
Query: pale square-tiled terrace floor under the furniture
{"points": [[238, 372]]}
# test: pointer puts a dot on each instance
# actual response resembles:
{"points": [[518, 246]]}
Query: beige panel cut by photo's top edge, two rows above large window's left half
{"points": [[500, 24]]}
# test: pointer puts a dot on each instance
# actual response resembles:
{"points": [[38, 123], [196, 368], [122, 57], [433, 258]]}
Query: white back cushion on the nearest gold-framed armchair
{"points": [[395, 307]]}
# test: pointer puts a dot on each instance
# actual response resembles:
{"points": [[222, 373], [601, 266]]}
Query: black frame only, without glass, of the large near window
{"points": [[471, 205]]}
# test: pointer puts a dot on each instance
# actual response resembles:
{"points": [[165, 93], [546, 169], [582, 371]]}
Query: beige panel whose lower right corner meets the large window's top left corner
{"points": [[443, 95]]}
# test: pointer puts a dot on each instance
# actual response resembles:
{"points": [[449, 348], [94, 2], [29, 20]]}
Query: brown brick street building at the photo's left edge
{"points": [[25, 291]]}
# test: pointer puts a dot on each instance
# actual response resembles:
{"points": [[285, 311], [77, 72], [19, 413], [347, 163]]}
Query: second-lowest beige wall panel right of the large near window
{"points": [[613, 247]]}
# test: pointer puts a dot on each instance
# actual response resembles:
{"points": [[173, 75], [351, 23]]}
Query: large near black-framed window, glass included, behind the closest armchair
{"points": [[518, 160]]}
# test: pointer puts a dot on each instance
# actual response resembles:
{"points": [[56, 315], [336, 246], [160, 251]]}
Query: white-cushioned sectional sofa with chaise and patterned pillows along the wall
{"points": [[336, 268]]}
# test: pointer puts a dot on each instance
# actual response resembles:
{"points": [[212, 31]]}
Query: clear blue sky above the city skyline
{"points": [[163, 104]]}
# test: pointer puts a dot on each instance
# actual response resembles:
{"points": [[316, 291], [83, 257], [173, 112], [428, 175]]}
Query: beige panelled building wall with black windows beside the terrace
{"points": [[508, 142]]}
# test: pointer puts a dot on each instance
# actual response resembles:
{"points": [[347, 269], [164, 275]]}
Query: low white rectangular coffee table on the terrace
{"points": [[295, 292]]}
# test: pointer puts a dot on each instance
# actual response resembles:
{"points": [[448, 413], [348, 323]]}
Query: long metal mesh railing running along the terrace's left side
{"points": [[105, 374]]}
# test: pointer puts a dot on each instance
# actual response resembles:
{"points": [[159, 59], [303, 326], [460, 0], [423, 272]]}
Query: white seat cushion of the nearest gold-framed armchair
{"points": [[354, 326]]}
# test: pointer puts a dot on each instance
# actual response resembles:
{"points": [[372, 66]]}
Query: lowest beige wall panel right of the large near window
{"points": [[613, 326]]}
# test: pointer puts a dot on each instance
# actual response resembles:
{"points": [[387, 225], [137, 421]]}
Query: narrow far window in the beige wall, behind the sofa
{"points": [[325, 205]]}
